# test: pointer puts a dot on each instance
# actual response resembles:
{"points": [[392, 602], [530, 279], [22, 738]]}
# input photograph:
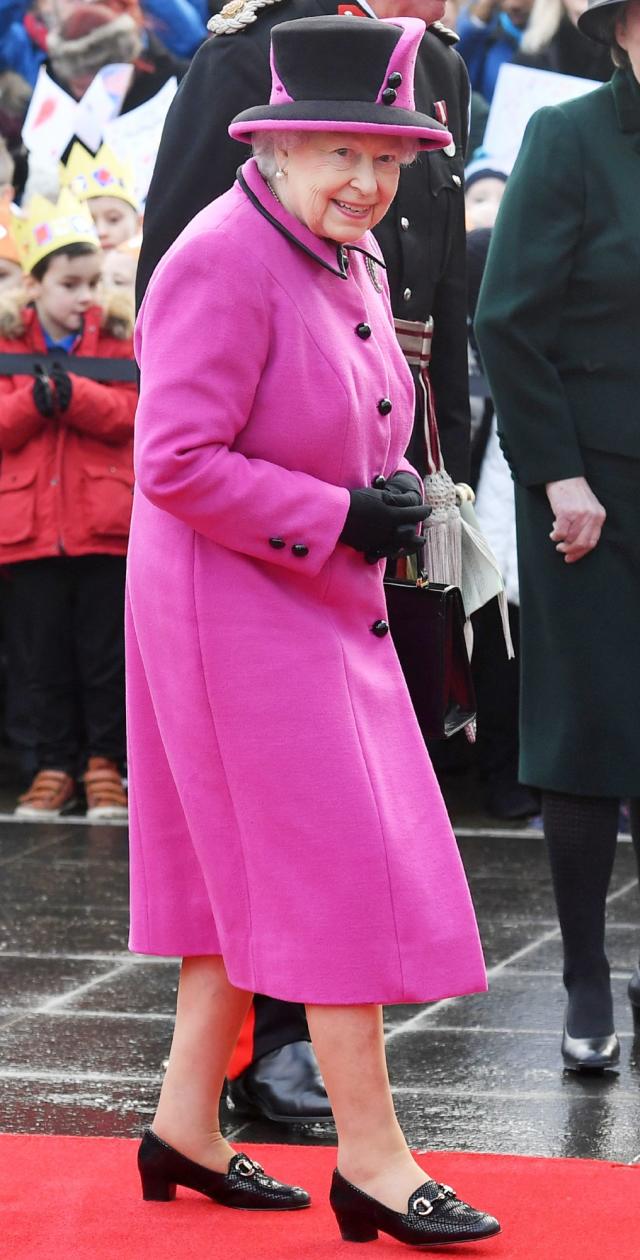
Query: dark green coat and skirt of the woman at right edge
{"points": [[559, 327]]}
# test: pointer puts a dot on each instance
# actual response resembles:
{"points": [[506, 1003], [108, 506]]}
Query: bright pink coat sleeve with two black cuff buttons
{"points": [[197, 400]]}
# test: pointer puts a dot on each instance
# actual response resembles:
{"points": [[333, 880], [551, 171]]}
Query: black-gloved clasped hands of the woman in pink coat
{"points": [[382, 522]]}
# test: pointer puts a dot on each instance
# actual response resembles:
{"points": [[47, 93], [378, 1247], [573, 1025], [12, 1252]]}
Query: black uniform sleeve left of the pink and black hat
{"points": [[197, 158]]}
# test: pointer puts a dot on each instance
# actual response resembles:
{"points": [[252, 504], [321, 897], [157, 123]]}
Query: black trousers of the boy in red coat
{"points": [[67, 614]]}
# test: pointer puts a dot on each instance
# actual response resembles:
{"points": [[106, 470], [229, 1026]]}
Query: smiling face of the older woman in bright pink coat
{"points": [[340, 186]]}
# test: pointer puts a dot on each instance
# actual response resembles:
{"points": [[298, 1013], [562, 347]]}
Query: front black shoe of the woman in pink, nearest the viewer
{"points": [[435, 1217]]}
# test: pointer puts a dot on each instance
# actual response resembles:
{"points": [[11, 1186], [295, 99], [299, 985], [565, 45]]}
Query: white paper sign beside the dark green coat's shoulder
{"points": [[520, 93]]}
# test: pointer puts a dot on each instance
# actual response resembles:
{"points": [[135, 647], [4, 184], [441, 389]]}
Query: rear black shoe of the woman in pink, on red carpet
{"points": [[245, 1185]]}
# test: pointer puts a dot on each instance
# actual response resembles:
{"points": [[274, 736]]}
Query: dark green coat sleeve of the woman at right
{"points": [[522, 299]]}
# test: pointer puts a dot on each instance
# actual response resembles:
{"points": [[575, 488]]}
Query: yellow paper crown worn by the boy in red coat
{"points": [[47, 226]]}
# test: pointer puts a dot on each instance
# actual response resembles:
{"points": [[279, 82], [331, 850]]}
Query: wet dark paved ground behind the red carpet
{"points": [[85, 1026]]}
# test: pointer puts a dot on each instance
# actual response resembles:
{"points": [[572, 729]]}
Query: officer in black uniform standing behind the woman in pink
{"points": [[424, 244]]}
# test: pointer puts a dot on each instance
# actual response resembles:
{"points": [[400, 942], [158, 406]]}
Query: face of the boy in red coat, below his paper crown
{"points": [[66, 292]]}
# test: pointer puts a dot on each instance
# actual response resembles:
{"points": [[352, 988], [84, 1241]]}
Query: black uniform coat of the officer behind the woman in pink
{"points": [[423, 236]]}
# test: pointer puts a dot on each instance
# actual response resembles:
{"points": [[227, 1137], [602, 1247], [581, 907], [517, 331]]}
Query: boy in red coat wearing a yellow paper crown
{"points": [[66, 491]]}
